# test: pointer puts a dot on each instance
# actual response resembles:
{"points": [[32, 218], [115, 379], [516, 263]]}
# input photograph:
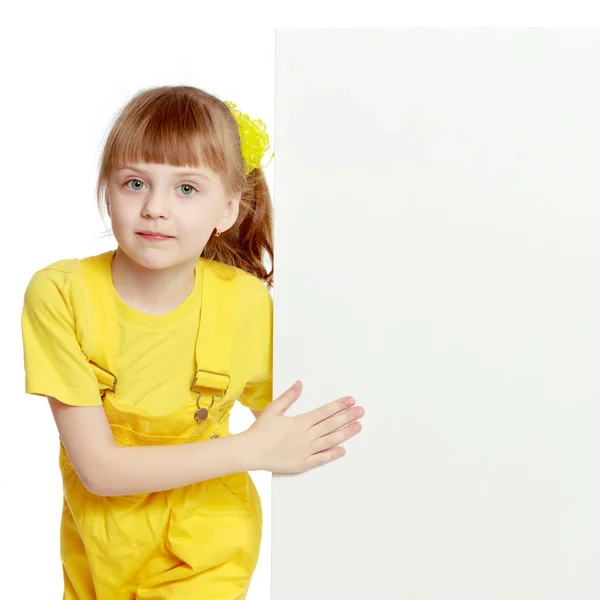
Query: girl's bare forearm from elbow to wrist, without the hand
{"points": [[126, 470]]}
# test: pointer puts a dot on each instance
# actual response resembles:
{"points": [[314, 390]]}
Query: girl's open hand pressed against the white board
{"points": [[283, 444]]}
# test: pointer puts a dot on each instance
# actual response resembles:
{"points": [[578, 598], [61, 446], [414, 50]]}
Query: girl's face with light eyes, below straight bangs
{"points": [[186, 203]]}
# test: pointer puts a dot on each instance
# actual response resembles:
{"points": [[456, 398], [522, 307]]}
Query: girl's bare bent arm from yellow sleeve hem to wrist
{"points": [[107, 469]]}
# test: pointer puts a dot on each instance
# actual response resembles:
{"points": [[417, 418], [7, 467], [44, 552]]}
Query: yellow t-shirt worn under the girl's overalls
{"points": [[155, 354]]}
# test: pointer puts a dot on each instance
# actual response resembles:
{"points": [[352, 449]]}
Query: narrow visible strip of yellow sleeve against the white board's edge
{"points": [[259, 391]]}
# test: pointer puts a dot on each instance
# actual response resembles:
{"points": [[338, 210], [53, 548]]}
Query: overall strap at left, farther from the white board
{"points": [[100, 345]]}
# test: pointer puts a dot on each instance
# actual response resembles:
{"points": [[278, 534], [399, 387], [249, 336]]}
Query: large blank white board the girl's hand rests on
{"points": [[437, 241]]}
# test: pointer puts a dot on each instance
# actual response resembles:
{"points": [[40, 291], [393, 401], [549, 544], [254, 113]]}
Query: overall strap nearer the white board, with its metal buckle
{"points": [[214, 343]]}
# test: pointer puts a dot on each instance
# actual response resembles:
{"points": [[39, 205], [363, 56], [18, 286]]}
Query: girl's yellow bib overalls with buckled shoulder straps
{"points": [[199, 541]]}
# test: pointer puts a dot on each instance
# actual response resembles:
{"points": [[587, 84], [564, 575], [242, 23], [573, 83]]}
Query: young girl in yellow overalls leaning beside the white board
{"points": [[142, 351]]}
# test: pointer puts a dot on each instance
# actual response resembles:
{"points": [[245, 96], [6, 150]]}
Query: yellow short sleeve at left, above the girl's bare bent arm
{"points": [[55, 364]]}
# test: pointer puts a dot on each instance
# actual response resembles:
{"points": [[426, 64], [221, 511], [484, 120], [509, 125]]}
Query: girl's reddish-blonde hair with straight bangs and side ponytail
{"points": [[184, 125]]}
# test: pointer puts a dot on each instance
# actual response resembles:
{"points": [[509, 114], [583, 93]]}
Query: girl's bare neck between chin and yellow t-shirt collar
{"points": [[152, 291]]}
